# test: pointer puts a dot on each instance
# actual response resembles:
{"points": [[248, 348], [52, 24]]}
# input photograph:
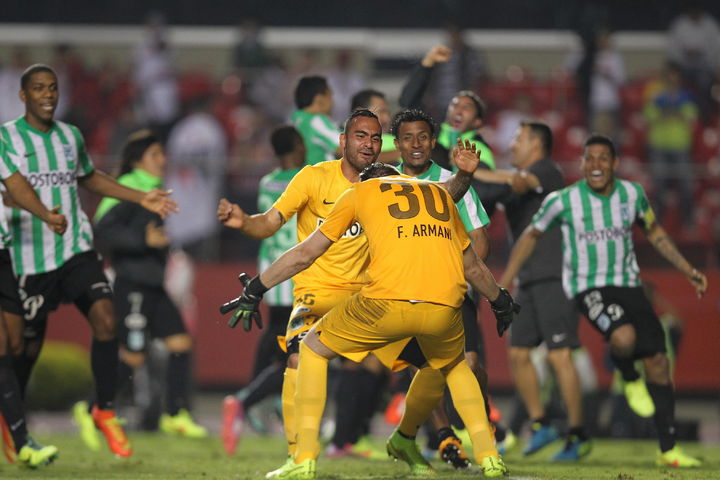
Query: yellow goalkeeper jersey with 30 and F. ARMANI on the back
{"points": [[415, 235]]}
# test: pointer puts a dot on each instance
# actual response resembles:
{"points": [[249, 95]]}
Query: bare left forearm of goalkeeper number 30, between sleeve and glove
{"points": [[295, 260]]}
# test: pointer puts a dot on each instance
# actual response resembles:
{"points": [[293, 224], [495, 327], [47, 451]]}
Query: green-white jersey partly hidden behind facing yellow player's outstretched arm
{"points": [[271, 187]]}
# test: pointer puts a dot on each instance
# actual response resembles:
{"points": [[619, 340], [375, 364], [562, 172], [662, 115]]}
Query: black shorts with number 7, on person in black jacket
{"points": [[144, 313]]}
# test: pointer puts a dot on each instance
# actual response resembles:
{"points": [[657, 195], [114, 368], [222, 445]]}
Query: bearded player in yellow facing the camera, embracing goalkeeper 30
{"points": [[311, 195]]}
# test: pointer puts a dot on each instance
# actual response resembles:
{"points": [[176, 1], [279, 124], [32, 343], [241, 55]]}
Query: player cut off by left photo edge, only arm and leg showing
{"points": [[17, 443]]}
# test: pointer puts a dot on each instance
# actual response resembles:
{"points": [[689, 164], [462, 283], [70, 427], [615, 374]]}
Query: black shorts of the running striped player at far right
{"points": [[608, 308]]}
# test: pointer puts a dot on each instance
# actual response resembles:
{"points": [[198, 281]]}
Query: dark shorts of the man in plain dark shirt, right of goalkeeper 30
{"points": [[546, 316]]}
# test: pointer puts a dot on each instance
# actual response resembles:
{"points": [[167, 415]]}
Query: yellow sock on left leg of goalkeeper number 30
{"points": [[310, 402]]}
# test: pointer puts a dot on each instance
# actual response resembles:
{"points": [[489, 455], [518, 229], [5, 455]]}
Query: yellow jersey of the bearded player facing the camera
{"points": [[312, 194]]}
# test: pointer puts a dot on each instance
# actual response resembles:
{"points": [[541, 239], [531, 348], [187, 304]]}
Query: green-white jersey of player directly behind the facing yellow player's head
{"points": [[320, 134]]}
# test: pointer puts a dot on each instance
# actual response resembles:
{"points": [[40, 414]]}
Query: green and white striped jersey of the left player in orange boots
{"points": [[52, 162]]}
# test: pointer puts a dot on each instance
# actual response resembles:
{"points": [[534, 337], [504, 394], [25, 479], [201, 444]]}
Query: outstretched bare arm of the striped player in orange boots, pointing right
{"points": [[157, 201]]}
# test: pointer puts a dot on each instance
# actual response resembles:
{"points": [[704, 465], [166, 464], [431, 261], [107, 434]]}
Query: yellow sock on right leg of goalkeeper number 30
{"points": [[469, 403]]}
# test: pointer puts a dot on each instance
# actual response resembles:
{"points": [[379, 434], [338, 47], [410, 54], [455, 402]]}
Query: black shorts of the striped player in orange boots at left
{"points": [[80, 280]]}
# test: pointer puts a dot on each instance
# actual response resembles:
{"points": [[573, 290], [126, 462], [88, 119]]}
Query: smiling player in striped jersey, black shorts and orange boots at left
{"points": [[51, 268]]}
